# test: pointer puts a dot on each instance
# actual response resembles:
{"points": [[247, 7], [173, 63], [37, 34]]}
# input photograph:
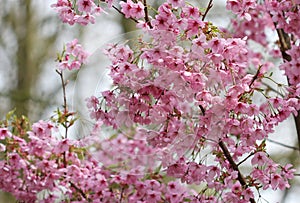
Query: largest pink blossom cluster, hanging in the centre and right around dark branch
{"points": [[188, 90]]}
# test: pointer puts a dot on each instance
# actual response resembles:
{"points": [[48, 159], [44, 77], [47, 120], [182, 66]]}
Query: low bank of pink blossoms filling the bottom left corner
{"points": [[40, 166]]}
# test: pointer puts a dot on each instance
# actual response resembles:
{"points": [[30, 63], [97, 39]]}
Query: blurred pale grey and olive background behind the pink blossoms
{"points": [[31, 35]]}
